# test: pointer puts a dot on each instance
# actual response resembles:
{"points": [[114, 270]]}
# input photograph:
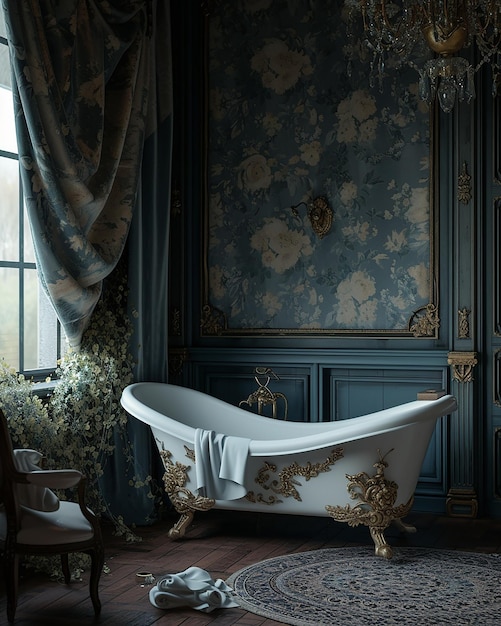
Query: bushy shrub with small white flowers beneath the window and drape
{"points": [[75, 425]]}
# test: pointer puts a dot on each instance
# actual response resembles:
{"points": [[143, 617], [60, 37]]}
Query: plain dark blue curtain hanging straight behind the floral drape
{"points": [[147, 250]]}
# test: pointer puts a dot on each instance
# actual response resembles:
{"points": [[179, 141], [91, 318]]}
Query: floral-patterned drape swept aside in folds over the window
{"points": [[82, 74]]}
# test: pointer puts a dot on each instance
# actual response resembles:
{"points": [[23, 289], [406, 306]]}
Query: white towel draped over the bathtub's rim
{"points": [[220, 462]]}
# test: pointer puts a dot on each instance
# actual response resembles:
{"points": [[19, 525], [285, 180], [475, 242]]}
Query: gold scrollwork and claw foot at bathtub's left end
{"points": [[182, 499]]}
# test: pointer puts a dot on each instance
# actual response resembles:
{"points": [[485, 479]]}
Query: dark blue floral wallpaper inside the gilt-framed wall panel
{"points": [[286, 124]]}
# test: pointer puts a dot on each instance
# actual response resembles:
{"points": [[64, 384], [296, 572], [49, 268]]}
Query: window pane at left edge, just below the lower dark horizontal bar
{"points": [[9, 315]]}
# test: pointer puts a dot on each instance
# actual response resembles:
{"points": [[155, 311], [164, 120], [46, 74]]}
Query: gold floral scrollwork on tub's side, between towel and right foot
{"points": [[284, 485]]}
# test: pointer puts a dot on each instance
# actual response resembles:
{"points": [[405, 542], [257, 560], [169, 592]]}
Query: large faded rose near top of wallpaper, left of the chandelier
{"points": [[280, 68]]}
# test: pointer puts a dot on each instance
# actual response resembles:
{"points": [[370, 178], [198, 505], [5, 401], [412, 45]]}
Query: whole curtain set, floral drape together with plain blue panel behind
{"points": [[93, 101]]}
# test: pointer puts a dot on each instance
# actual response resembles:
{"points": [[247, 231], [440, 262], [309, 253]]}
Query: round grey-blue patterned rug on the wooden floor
{"points": [[352, 587]]}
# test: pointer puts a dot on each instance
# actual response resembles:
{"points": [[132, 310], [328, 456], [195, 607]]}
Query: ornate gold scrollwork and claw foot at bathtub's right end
{"points": [[376, 508]]}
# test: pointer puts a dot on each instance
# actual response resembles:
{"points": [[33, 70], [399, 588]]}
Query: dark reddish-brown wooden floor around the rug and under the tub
{"points": [[221, 542]]}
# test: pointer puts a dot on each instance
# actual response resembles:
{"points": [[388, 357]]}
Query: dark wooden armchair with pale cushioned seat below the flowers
{"points": [[24, 530]]}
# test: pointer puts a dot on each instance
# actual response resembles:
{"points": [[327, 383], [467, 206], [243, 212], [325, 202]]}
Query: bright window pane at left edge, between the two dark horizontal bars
{"points": [[9, 211]]}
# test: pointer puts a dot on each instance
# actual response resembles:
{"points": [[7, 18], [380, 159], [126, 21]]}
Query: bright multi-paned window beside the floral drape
{"points": [[30, 335]]}
